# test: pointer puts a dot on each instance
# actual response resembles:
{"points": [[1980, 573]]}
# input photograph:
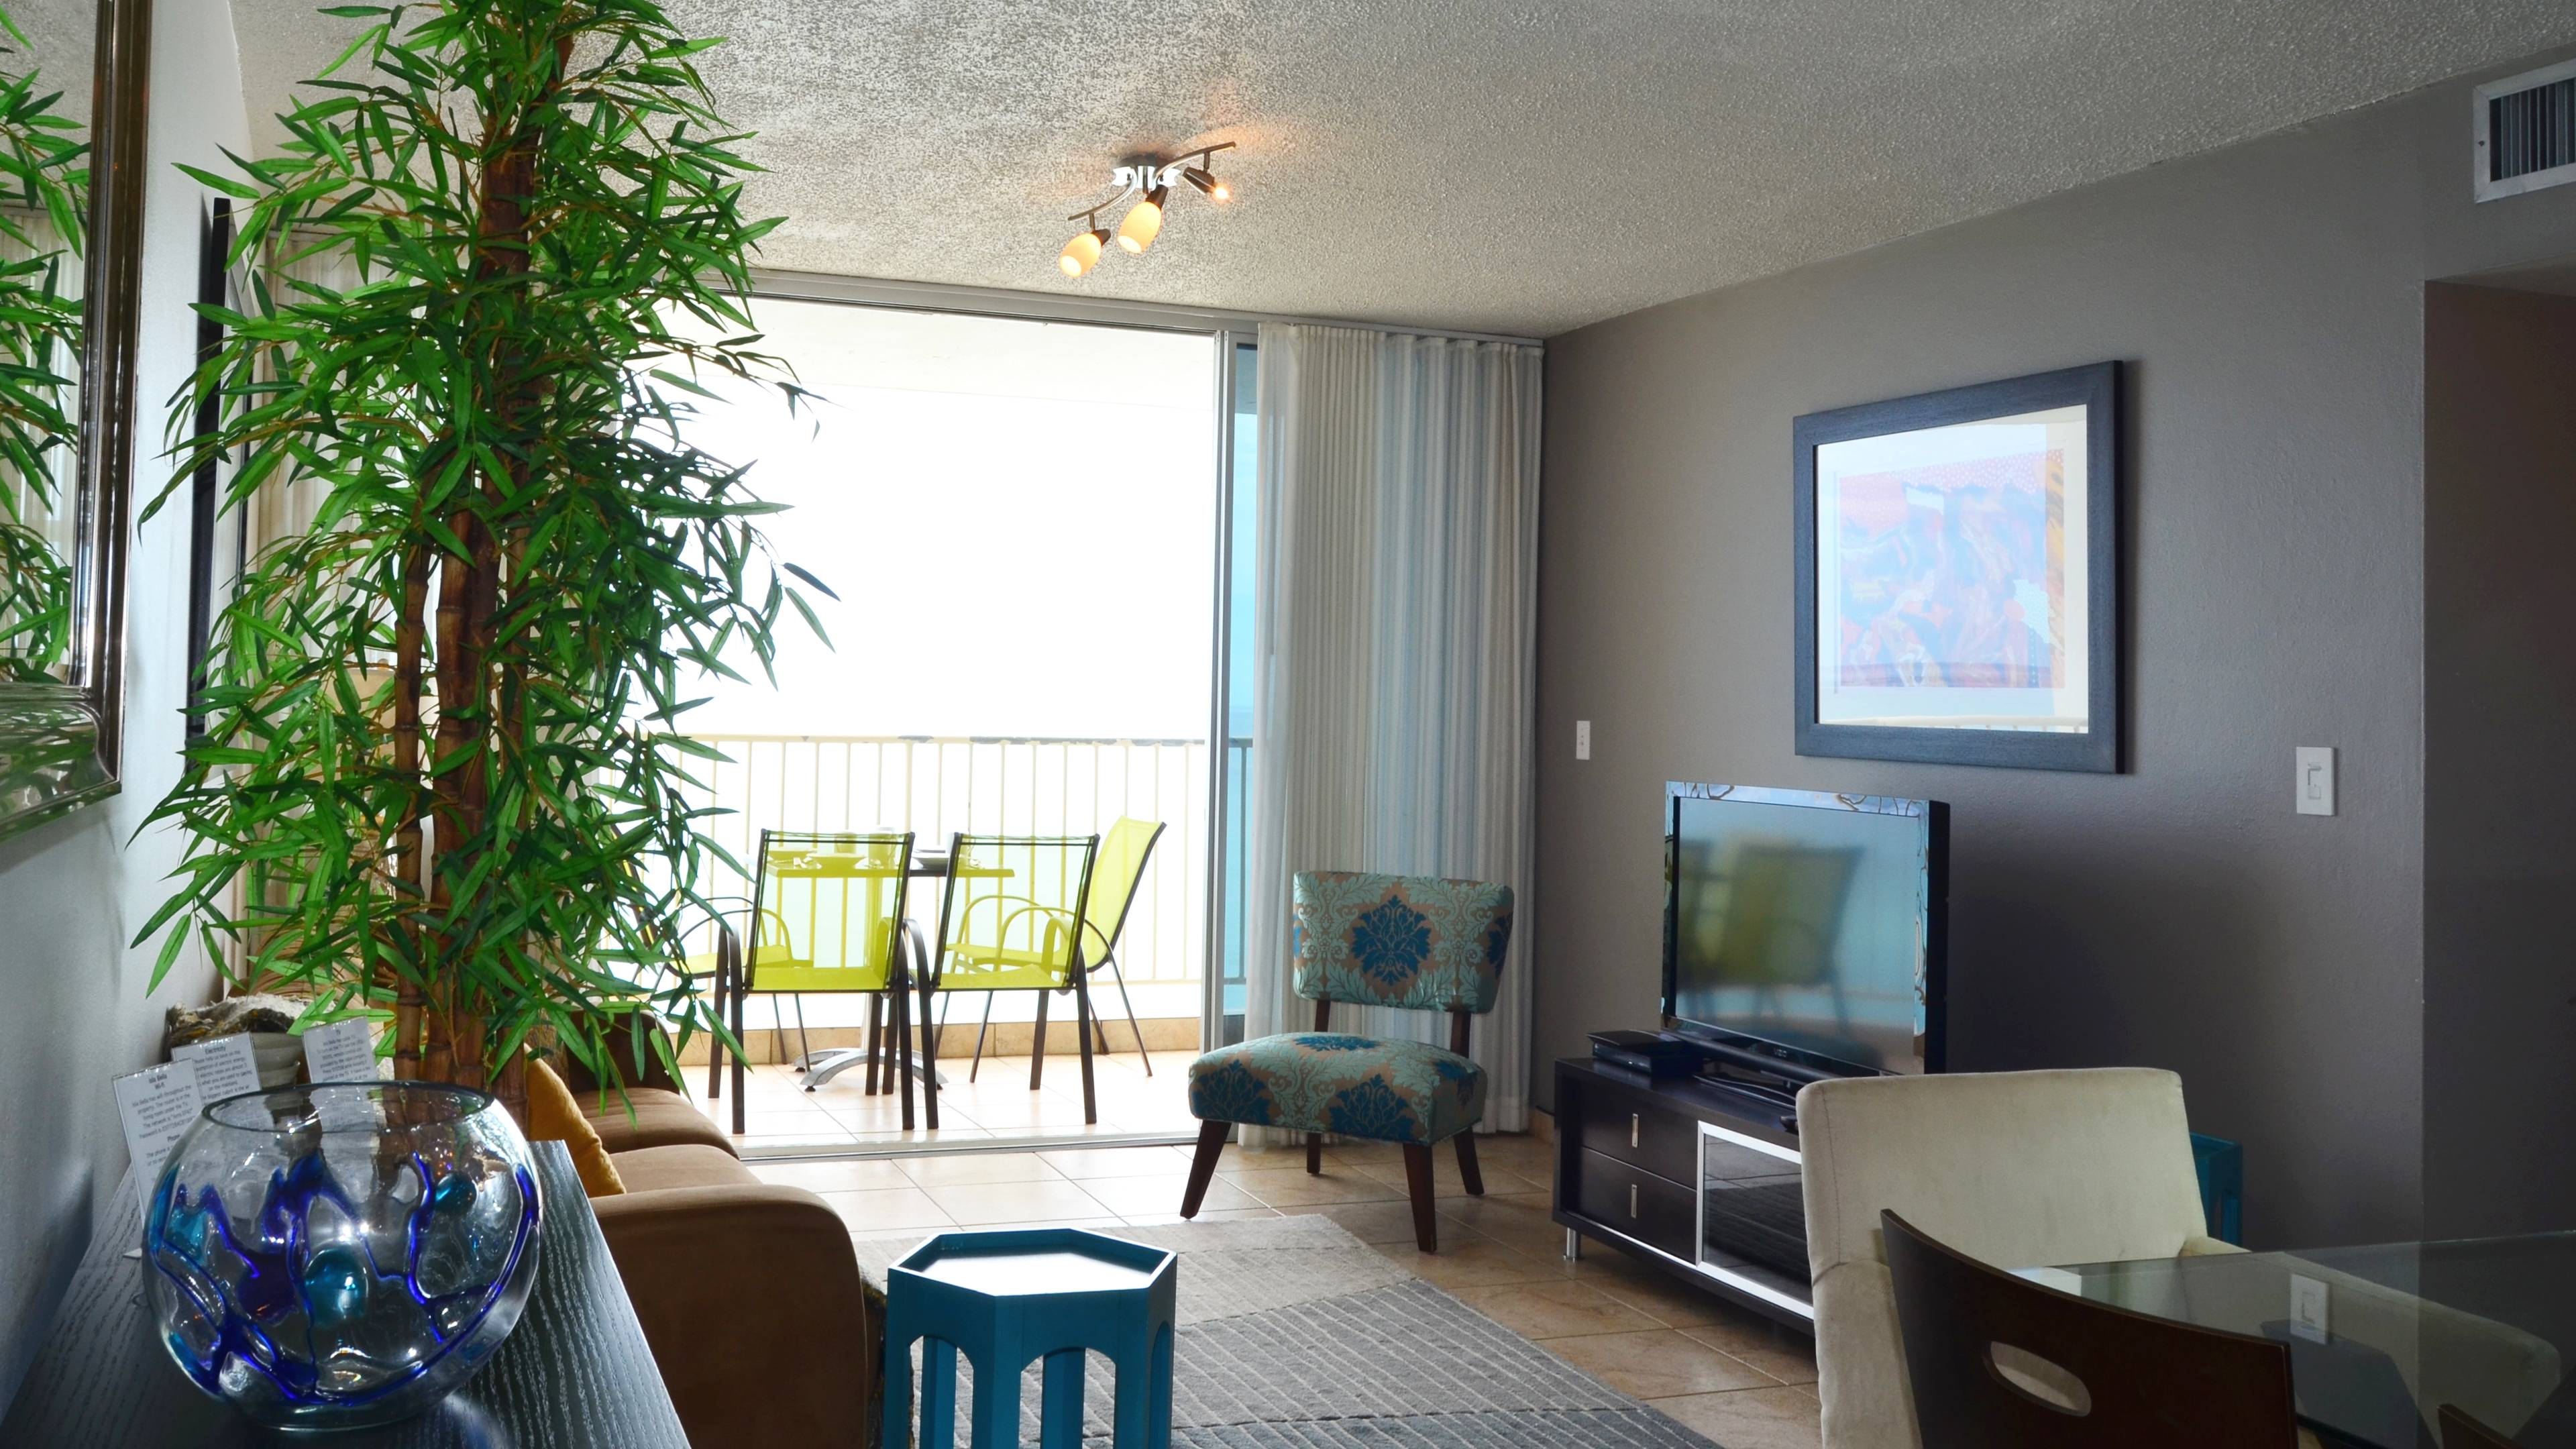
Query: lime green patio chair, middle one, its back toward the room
{"points": [[1014, 919]]}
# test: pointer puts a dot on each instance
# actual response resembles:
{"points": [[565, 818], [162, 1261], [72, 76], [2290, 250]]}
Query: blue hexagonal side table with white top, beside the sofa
{"points": [[1011, 1298]]}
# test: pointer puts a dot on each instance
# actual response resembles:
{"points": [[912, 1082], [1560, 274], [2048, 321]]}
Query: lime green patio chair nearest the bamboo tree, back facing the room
{"points": [[828, 917]]}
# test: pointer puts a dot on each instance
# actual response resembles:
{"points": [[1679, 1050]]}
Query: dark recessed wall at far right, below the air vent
{"points": [[2500, 785]]}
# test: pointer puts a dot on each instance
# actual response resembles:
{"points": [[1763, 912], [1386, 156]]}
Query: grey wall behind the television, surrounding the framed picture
{"points": [[2268, 300]]}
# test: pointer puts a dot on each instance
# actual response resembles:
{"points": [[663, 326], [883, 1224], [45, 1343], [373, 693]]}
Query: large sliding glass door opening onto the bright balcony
{"points": [[1037, 545]]}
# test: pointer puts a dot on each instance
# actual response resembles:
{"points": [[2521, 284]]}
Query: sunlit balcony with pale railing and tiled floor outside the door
{"points": [[942, 785]]}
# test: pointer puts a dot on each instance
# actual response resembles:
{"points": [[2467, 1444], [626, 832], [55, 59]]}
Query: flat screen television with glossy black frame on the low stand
{"points": [[1804, 932]]}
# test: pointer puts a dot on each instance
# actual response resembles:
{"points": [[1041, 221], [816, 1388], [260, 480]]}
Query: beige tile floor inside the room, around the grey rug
{"points": [[1709, 1365]]}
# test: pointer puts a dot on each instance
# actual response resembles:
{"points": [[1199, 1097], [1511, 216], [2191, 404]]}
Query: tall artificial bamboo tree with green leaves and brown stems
{"points": [[444, 777]]}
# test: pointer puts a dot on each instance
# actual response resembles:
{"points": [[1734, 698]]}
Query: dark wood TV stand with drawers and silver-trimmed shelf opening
{"points": [[1691, 1177]]}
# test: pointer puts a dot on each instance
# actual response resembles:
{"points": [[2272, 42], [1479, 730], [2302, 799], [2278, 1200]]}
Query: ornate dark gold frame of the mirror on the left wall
{"points": [[63, 744]]}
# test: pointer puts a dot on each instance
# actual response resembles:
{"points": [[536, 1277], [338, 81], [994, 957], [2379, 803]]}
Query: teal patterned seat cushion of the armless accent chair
{"points": [[1331, 1082]]}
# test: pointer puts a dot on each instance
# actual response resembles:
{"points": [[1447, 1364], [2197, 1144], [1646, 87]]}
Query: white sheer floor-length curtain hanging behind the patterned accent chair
{"points": [[1395, 638]]}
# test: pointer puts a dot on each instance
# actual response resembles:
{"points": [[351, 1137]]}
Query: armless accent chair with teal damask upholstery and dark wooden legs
{"points": [[1418, 942]]}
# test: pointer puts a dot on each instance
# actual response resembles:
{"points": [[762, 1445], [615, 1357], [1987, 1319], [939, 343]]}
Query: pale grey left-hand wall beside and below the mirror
{"points": [[73, 1007]]}
